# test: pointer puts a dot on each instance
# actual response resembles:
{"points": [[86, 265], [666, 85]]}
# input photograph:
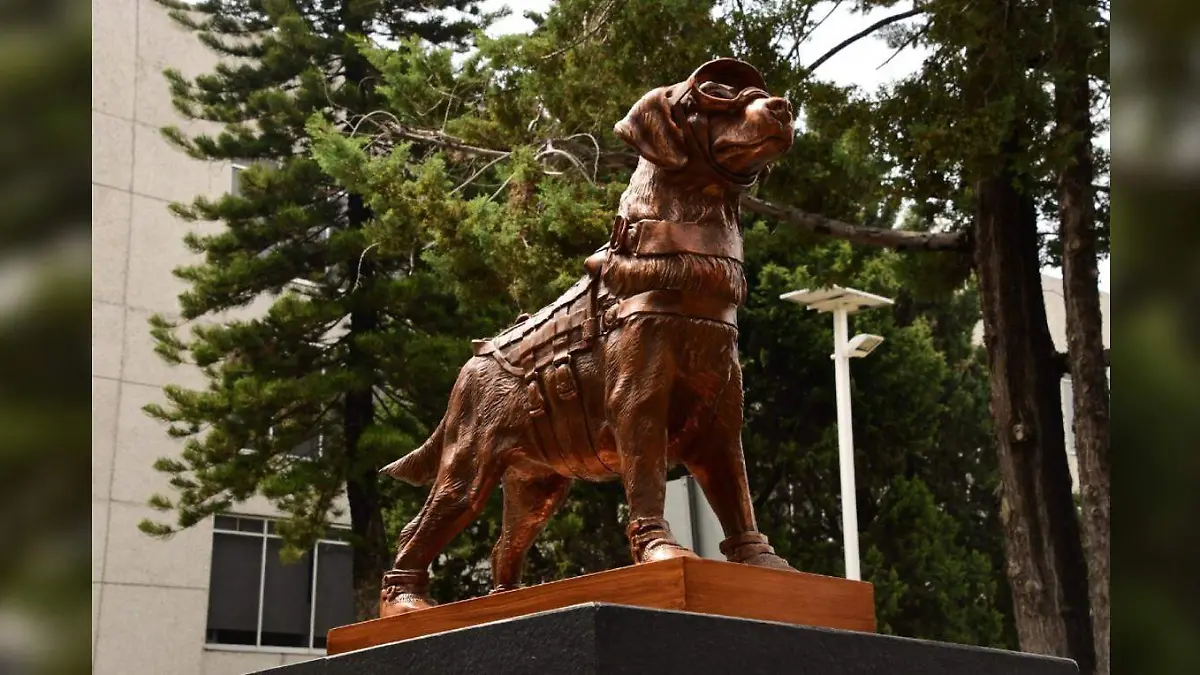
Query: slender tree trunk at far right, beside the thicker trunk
{"points": [[1075, 44]]}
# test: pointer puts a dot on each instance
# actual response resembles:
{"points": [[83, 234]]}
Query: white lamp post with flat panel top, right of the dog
{"points": [[843, 303]]}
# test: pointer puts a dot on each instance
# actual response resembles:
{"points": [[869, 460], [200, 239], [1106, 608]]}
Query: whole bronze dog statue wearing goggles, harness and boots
{"points": [[632, 371]]}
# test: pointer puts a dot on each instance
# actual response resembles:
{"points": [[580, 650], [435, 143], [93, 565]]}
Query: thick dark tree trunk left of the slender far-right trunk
{"points": [[1046, 558]]}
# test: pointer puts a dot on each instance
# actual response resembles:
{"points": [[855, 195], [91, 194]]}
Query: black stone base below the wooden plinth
{"points": [[605, 640]]}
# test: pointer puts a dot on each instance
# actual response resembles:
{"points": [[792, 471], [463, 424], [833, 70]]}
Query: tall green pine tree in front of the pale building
{"points": [[303, 402]]}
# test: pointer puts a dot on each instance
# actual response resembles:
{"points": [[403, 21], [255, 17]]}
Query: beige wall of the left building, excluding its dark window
{"points": [[149, 598]]}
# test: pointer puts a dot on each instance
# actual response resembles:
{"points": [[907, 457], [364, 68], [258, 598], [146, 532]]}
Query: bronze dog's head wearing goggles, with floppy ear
{"points": [[719, 126]]}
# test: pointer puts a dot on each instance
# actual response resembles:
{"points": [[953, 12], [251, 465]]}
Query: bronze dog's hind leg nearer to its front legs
{"points": [[530, 501]]}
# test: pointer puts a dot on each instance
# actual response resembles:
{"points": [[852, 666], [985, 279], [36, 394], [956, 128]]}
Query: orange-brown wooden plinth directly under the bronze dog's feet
{"points": [[703, 587]]}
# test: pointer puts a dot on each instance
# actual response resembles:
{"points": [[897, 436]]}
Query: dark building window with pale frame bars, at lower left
{"points": [[257, 600]]}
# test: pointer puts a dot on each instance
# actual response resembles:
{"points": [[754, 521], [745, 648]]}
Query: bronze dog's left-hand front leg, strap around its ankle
{"points": [[640, 373]]}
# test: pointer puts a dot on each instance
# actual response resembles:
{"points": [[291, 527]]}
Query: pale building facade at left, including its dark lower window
{"points": [[215, 599]]}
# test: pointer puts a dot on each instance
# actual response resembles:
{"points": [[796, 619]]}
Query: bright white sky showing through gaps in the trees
{"points": [[862, 64]]}
